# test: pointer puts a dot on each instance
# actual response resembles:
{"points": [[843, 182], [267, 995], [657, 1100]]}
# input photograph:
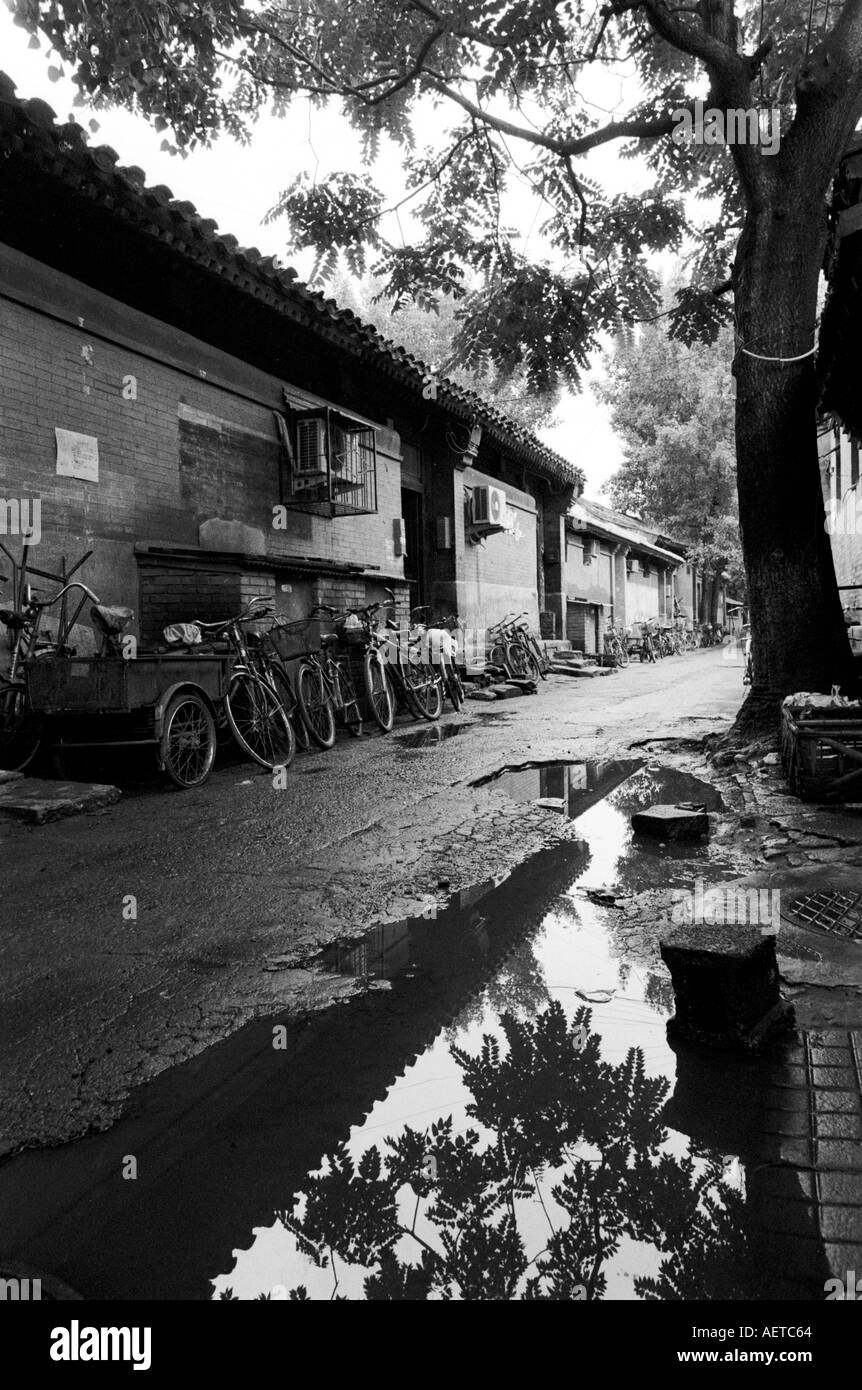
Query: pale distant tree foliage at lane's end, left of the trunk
{"points": [[672, 407]]}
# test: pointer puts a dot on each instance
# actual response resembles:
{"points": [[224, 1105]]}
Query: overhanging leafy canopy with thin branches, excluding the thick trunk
{"points": [[504, 84]]}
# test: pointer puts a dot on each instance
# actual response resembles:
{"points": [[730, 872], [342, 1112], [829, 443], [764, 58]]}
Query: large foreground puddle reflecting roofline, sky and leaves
{"points": [[465, 1102]]}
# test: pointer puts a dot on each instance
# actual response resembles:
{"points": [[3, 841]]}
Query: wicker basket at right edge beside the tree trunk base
{"points": [[822, 757]]}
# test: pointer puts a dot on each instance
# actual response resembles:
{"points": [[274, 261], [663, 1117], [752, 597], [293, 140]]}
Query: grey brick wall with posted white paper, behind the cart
{"points": [[72, 376]]}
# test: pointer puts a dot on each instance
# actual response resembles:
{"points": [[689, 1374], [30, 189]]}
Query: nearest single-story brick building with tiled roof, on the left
{"points": [[211, 429]]}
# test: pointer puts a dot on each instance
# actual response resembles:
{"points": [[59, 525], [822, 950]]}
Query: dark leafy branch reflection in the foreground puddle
{"points": [[565, 1166]]}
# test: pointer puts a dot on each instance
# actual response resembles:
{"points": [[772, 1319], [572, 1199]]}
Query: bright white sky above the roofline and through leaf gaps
{"points": [[236, 186]]}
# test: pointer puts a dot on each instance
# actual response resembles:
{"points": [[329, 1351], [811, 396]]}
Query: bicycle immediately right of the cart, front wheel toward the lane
{"points": [[254, 708]]}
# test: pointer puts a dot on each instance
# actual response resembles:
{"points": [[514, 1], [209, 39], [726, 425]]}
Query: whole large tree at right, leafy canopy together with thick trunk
{"points": [[478, 99]]}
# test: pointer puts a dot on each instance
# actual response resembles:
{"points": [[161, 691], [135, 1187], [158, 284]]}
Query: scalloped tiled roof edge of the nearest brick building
{"points": [[62, 151]]}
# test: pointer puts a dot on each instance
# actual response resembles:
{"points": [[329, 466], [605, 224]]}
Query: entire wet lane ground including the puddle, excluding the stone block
{"points": [[429, 1107]]}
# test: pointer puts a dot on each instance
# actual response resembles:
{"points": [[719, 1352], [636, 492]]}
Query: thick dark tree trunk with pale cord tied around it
{"points": [[799, 635]]}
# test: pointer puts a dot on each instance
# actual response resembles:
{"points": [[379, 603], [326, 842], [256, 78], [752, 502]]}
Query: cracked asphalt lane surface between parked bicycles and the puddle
{"points": [[137, 936]]}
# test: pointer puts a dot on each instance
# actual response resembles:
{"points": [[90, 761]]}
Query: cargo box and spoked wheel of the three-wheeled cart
{"points": [[169, 703]]}
